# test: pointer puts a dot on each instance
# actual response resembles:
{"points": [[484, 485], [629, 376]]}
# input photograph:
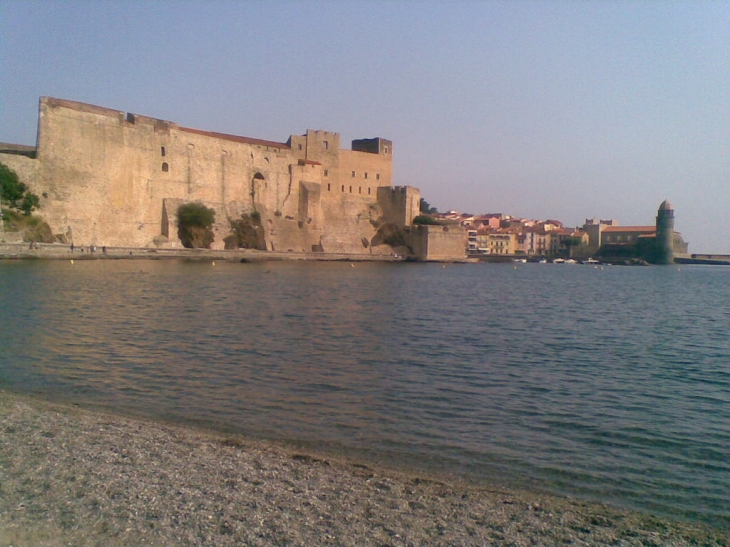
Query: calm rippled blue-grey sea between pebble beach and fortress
{"points": [[607, 384]]}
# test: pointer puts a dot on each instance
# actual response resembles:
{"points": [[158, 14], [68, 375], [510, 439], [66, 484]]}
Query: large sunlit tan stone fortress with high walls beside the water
{"points": [[113, 178]]}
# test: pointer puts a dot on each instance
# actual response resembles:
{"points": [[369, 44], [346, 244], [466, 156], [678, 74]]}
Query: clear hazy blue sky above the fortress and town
{"points": [[541, 109]]}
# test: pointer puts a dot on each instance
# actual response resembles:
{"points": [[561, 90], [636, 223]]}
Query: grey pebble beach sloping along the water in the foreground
{"points": [[74, 477]]}
